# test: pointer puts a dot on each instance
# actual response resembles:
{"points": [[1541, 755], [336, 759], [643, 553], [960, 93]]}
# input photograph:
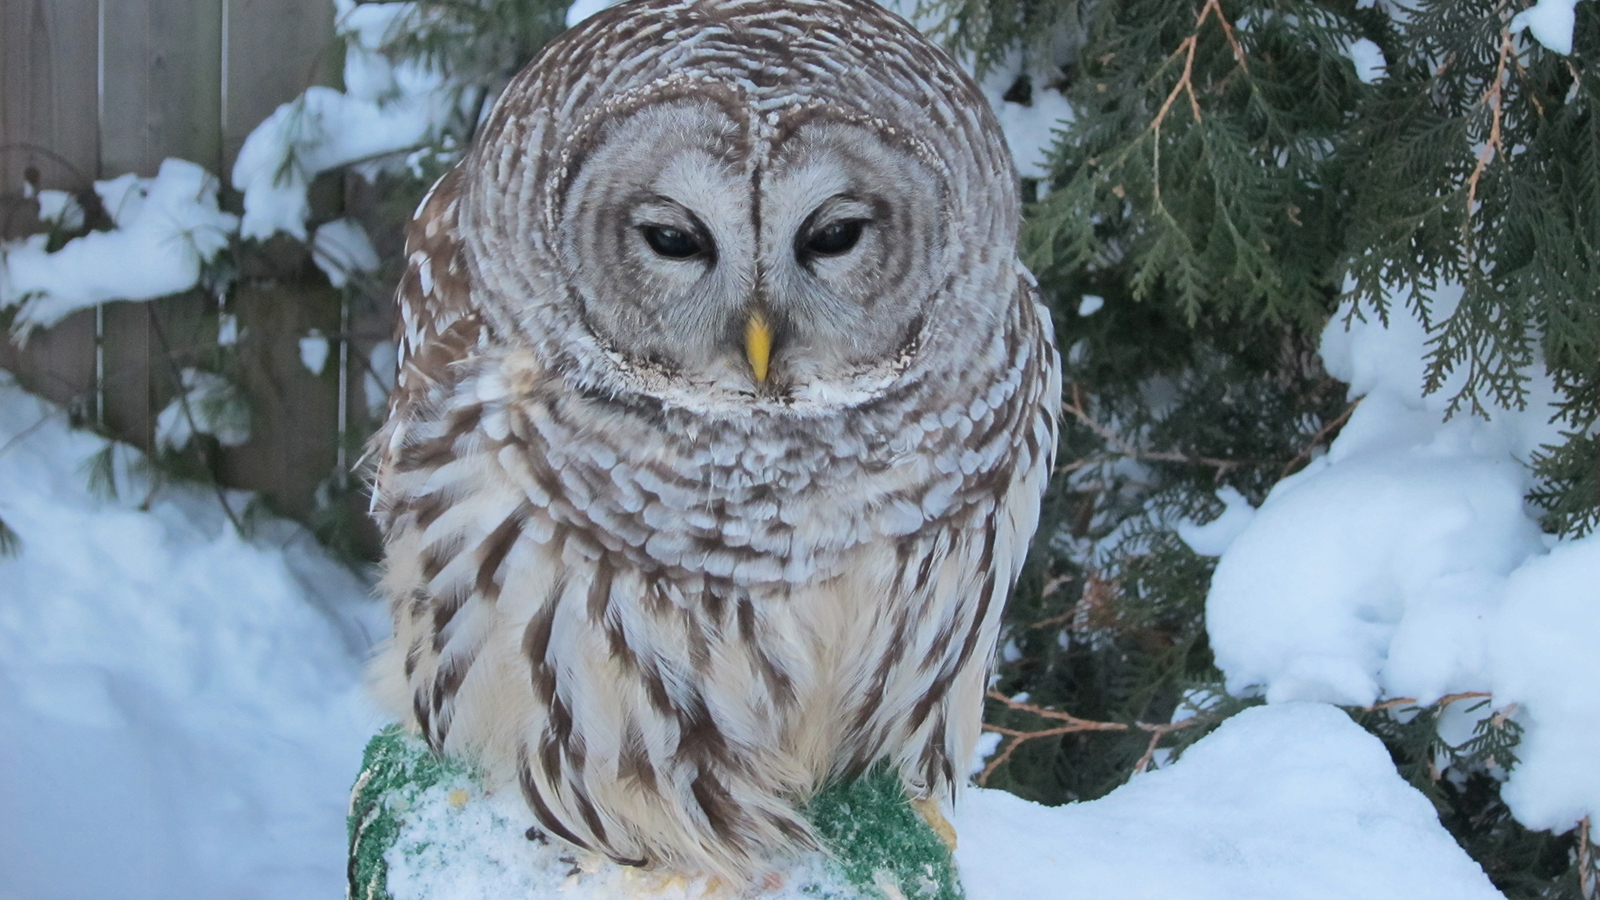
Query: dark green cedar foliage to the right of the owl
{"points": [[1226, 183]]}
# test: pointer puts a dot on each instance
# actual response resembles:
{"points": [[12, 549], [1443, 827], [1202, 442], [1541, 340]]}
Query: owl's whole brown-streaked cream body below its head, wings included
{"points": [[668, 629]]}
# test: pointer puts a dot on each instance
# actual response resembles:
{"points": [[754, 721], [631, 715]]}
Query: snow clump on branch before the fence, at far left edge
{"points": [[166, 230]]}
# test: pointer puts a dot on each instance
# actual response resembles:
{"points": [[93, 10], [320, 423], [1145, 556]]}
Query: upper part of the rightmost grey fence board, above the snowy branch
{"points": [[263, 74]]}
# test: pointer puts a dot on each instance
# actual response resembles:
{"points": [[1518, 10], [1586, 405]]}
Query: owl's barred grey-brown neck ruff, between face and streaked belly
{"points": [[764, 499]]}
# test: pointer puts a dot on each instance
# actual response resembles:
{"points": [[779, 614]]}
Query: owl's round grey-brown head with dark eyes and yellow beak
{"points": [[783, 206]]}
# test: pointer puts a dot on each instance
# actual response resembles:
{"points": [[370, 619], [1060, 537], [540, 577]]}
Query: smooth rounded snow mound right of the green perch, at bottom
{"points": [[1281, 803]]}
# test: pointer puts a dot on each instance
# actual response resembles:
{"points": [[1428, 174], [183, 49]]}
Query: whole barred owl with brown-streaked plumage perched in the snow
{"points": [[721, 432]]}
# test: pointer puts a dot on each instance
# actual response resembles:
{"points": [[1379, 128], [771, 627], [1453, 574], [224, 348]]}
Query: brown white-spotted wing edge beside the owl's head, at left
{"points": [[439, 327]]}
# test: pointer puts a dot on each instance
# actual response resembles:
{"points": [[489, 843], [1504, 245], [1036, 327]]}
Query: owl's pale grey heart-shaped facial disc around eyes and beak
{"points": [[718, 267]]}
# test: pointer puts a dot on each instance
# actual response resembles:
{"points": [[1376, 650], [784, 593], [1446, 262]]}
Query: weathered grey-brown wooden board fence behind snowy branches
{"points": [[95, 89]]}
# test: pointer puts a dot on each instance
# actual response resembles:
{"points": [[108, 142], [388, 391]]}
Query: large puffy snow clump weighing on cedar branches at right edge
{"points": [[1406, 563]]}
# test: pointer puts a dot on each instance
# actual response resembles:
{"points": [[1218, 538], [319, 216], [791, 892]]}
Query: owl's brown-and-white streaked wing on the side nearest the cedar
{"points": [[943, 589]]}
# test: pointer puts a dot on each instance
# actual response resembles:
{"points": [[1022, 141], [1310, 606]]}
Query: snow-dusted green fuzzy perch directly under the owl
{"points": [[425, 829]]}
